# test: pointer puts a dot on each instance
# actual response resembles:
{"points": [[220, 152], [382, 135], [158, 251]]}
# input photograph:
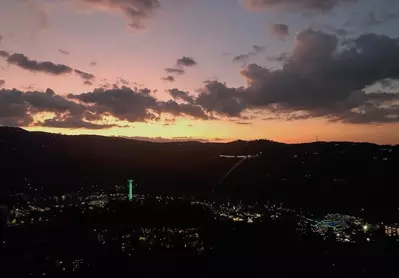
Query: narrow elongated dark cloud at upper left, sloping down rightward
{"points": [[24, 62]]}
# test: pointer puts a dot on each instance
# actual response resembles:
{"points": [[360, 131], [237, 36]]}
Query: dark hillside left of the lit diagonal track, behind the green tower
{"points": [[60, 162]]}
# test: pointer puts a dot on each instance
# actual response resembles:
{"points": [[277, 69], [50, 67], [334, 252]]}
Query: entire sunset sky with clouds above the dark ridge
{"points": [[285, 70]]}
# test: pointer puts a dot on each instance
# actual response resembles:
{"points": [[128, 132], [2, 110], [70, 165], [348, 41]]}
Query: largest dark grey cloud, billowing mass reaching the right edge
{"points": [[321, 78]]}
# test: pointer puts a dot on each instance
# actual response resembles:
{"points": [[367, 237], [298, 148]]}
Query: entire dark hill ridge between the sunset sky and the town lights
{"points": [[315, 175]]}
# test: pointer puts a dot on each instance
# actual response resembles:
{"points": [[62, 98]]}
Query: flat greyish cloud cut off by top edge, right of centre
{"points": [[305, 5]]}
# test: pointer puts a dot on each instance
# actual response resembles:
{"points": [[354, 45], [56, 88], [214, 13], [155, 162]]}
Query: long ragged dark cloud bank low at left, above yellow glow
{"points": [[88, 110]]}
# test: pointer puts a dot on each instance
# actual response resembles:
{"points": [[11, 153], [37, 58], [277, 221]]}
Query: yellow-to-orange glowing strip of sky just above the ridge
{"points": [[224, 131]]}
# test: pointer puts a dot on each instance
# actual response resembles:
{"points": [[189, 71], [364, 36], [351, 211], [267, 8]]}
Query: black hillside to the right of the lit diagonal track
{"points": [[358, 178]]}
